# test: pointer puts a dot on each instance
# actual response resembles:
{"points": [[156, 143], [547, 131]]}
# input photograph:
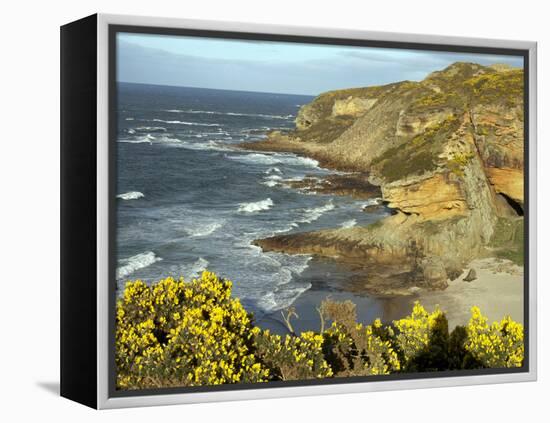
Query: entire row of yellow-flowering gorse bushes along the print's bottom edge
{"points": [[176, 333]]}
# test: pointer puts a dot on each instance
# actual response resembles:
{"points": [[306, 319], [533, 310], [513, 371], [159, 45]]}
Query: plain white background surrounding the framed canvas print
{"points": [[29, 195]]}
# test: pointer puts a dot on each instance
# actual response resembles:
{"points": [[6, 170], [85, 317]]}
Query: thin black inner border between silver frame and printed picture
{"points": [[113, 123]]}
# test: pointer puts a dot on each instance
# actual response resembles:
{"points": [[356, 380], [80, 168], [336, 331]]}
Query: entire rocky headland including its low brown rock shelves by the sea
{"points": [[447, 154]]}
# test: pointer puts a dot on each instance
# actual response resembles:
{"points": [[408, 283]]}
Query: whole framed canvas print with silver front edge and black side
{"points": [[254, 211]]}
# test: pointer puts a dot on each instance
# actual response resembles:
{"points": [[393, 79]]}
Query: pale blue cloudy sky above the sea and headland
{"points": [[276, 67]]}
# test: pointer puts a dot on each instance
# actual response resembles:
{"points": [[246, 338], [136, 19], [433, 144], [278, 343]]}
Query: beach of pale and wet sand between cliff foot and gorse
{"points": [[497, 290]]}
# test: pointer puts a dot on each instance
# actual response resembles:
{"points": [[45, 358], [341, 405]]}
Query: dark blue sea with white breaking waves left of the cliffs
{"points": [[188, 199]]}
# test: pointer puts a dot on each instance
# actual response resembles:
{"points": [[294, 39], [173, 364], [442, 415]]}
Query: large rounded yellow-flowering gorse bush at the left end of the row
{"points": [[176, 333]]}
